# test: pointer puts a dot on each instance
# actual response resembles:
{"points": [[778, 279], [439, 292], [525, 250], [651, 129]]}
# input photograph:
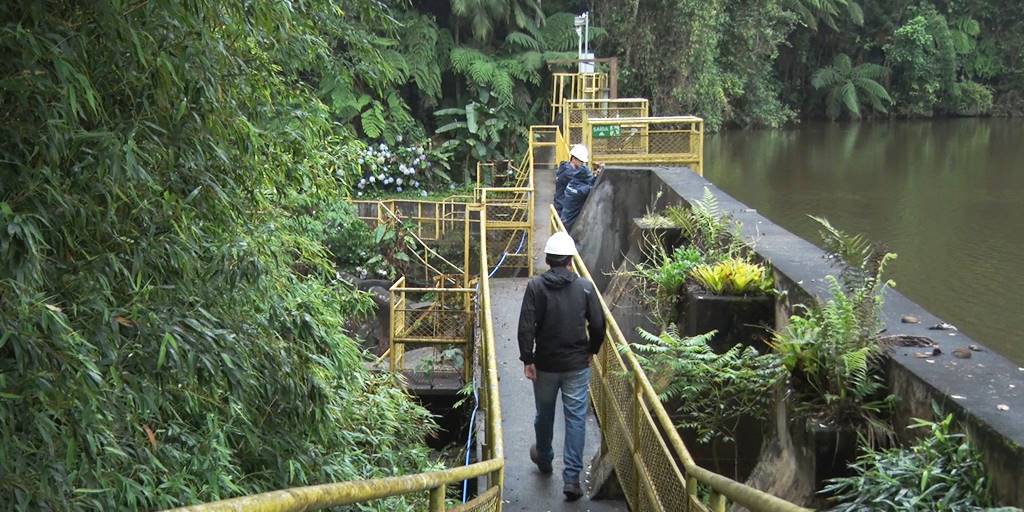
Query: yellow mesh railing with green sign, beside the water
{"points": [[647, 141]]}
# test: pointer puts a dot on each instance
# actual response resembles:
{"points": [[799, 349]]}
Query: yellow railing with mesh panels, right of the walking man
{"points": [[653, 464]]}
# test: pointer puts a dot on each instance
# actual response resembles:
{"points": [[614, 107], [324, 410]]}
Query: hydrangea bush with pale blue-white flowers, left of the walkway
{"points": [[412, 169]]}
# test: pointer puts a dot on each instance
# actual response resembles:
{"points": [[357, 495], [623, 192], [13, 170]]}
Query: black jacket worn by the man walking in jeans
{"points": [[562, 323]]}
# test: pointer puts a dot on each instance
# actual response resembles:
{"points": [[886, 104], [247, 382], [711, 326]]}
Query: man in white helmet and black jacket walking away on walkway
{"points": [[562, 326]]}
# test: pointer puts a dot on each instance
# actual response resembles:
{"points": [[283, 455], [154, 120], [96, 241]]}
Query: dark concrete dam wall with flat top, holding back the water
{"points": [[986, 393]]}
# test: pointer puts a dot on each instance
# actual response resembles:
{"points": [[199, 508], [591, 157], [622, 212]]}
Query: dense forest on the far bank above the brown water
{"points": [[766, 63]]}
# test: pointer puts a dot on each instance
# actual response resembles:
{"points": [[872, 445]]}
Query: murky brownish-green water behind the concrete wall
{"points": [[948, 196]]}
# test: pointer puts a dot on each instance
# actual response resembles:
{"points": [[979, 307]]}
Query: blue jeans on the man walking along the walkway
{"points": [[574, 387]]}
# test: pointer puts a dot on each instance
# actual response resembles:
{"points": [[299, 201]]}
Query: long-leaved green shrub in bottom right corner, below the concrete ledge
{"points": [[942, 472]]}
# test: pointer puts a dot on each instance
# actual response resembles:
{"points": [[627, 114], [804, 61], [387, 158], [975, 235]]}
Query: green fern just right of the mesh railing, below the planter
{"points": [[714, 393]]}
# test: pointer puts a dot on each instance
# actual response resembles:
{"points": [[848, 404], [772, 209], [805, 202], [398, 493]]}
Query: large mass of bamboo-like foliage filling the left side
{"points": [[173, 326]]}
